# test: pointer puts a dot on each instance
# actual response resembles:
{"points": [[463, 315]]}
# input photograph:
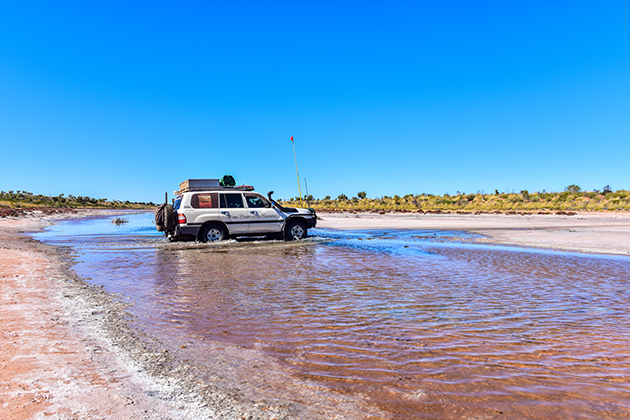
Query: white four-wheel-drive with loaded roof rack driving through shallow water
{"points": [[205, 211]]}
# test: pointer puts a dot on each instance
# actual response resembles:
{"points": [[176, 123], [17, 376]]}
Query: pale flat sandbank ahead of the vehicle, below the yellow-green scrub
{"points": [[605, 233]]}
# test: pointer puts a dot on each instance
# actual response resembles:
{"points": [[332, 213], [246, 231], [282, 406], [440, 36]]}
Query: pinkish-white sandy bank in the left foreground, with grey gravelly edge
{"points": [[67, 352]]}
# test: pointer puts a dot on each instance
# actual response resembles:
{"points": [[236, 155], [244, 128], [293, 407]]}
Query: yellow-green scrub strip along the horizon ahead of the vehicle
{"points": [[573, 198]]}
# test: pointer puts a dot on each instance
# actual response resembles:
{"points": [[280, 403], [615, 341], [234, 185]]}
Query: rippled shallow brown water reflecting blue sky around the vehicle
{"points": [[414, 324]]}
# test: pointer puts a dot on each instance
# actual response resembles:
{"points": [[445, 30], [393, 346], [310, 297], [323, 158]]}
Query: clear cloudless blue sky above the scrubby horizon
{"points": [[123, 100]]}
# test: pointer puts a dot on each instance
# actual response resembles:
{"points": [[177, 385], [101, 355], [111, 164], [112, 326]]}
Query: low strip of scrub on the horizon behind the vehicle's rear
{"points": [[24, 199]]}
